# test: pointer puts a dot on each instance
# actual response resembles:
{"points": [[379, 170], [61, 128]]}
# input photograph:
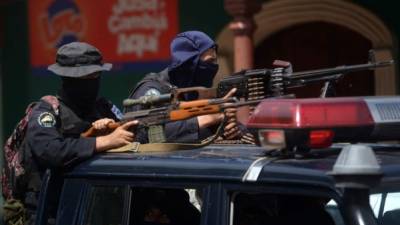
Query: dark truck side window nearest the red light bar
{"points": [[264, 209]]}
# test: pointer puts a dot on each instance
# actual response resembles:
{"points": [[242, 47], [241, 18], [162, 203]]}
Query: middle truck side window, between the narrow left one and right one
{"points": [[163, 206]]}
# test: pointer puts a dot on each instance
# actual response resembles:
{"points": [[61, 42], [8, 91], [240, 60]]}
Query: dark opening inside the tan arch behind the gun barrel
{"points": [[319, 45]]}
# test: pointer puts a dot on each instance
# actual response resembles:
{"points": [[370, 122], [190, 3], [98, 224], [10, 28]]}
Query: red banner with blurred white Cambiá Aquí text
{"points": [[131, 34]]}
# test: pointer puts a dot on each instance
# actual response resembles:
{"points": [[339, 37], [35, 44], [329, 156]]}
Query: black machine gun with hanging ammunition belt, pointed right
{"points": [[265, 83]]}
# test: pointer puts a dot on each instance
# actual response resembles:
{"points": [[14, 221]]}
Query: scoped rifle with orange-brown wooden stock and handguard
{"points": [[164, 114]]}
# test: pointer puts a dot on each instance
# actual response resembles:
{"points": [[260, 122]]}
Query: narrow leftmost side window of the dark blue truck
{"points": [[105, 206]]}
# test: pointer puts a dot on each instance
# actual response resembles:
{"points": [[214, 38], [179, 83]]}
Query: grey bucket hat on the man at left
{"points": [[78, 59]]}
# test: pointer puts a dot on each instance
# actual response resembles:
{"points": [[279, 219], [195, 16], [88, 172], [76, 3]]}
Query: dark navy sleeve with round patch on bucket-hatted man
{"points": [[47, 144]]}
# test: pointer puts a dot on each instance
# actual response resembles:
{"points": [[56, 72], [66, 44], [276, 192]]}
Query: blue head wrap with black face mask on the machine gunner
{"points": [[186, 69]]}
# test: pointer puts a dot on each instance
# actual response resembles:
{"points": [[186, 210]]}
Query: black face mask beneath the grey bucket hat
{"points": [[80, 94]]}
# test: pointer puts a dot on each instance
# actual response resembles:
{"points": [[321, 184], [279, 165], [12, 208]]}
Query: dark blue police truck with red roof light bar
{"points": [[284, 180]]}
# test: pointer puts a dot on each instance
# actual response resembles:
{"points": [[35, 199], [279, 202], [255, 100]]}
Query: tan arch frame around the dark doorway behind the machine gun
{"points": [[279, 15]]}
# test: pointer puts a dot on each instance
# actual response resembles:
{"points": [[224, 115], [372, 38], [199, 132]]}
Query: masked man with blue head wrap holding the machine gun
{"points": [[194, 63]]}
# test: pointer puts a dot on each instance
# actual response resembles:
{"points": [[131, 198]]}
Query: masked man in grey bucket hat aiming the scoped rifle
{"points": [[53, 141]]}
